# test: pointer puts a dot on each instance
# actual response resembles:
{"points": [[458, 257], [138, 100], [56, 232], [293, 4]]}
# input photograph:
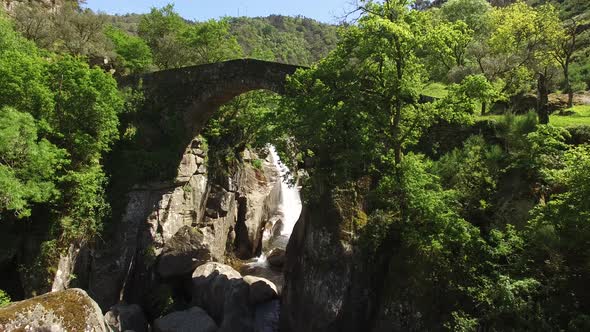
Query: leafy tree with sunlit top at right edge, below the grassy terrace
{"points": [[557, 241]]}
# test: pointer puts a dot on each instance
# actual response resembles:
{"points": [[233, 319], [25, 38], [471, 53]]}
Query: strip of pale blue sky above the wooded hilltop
{"points": [[323, 10]]}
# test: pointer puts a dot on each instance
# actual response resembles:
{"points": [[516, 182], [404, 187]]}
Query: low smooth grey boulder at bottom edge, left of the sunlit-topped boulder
{"points": [[194, 319]]}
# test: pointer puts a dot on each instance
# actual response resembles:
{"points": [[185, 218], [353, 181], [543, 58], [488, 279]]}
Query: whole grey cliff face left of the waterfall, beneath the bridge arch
{"points": [[170, 228]]}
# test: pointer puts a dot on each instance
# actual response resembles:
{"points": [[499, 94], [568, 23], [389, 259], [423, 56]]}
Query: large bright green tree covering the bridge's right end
{"points": [[358, 109]]}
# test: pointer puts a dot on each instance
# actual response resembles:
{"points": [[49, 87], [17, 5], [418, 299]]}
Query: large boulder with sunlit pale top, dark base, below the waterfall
{"points": [[220, 290]]}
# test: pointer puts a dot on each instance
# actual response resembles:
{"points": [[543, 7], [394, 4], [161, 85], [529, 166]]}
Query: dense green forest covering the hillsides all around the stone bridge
{"points": [[452, 136]]}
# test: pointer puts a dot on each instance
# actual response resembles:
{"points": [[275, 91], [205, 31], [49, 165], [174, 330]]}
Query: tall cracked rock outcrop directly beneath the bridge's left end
{"points": [[154, 213]]}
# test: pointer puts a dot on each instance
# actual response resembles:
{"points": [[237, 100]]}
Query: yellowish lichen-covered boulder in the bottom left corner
{"points": [[69, 310]]}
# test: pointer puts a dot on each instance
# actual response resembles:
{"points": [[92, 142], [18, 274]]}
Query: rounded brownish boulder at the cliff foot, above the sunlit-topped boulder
{"points": [[183, 253]]}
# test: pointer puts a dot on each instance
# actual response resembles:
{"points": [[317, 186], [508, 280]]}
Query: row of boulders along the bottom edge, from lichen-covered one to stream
{"points": [[222, 300]]}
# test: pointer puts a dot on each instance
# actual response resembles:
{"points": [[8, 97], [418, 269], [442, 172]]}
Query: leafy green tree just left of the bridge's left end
{"points": [[86, 106]]}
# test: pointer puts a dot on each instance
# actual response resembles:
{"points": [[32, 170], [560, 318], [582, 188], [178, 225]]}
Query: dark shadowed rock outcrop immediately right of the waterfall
{"points": [[324, 287]]}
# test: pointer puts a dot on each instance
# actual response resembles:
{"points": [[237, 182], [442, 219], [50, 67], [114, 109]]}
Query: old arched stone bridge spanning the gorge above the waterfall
{"points": [[198, 91]]}
